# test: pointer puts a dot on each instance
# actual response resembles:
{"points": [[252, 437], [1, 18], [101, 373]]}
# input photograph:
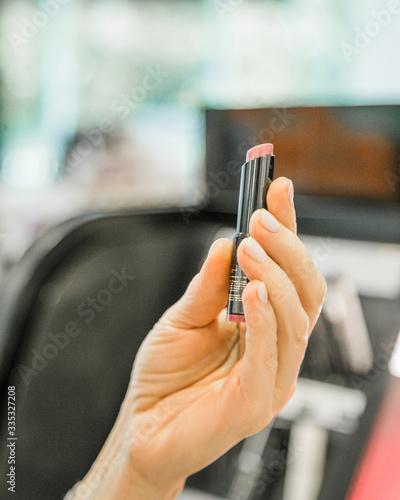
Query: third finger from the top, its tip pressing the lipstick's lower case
{"points": [[292, 320]]}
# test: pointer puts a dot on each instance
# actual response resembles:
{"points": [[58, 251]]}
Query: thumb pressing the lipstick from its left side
{"points": [[207, 293]]}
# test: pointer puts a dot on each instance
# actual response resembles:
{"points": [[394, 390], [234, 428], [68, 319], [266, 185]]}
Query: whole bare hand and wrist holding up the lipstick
{"points": [[201, 384]]}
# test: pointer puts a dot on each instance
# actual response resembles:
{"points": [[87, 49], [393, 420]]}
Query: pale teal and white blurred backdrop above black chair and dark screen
{"points": [[101, 101]]}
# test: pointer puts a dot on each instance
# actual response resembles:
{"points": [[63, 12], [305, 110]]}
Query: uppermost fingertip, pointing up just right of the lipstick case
{"points": [[280, 202]]}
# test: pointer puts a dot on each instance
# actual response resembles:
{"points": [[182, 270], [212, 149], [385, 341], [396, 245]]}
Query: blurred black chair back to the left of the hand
{"points": [[73, 314]]}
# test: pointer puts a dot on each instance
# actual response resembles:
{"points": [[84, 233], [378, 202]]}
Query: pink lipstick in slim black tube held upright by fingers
{"points": [[257, 175]]}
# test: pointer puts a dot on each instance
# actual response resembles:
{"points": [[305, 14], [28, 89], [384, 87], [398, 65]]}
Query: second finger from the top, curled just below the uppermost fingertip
{"points": [[286, 249]]}
